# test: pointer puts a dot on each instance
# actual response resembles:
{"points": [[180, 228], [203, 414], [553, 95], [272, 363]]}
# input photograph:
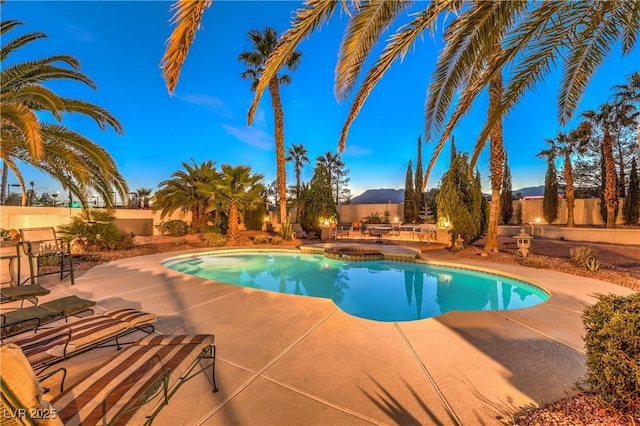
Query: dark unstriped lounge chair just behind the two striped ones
{"points": [[32, 317]]}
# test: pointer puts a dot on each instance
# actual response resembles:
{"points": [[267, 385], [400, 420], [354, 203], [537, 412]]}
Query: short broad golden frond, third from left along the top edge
{"points": [[362, 33]]}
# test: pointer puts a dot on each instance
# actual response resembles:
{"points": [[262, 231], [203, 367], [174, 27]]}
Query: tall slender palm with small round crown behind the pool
{"points": [[263, 44]]}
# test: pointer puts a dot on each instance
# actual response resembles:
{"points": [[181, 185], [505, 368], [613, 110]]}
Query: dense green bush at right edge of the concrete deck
{"points": [[612, 342]]}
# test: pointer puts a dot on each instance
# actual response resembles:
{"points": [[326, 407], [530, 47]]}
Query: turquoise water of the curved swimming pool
{"points": [[382, 290]]}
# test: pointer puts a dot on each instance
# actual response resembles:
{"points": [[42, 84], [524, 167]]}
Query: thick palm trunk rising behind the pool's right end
{"points": [[496, 160]]}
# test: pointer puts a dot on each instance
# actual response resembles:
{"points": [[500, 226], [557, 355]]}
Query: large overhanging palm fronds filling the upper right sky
{"points": [[533, 36]]}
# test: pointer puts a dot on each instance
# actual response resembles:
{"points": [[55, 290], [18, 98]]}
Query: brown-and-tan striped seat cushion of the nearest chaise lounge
{"points": [[104, 396]]}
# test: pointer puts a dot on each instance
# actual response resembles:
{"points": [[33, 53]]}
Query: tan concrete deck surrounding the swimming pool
{"points": [[285, 359]]}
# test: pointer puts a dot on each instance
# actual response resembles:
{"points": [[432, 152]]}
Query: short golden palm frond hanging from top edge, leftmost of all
{"points": [[188, 19]]}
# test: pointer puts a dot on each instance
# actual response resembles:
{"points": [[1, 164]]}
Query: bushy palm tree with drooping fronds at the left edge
{"points": [[76, 162]]}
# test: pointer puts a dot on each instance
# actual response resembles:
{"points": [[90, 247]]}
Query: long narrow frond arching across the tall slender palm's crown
{"points": [[307, 19]]}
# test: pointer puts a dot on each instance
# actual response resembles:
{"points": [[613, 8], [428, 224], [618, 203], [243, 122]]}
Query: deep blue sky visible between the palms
{"points": [[120, 44]]}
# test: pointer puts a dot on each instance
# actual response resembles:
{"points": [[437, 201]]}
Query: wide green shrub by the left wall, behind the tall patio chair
{"points": [[94, 230]]}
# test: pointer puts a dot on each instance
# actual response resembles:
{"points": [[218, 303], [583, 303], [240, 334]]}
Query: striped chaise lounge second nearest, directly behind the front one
{"points": [[56, 344]]}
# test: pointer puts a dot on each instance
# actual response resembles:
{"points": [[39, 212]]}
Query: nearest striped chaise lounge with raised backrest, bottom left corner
{"points": [[131, 388]]}
